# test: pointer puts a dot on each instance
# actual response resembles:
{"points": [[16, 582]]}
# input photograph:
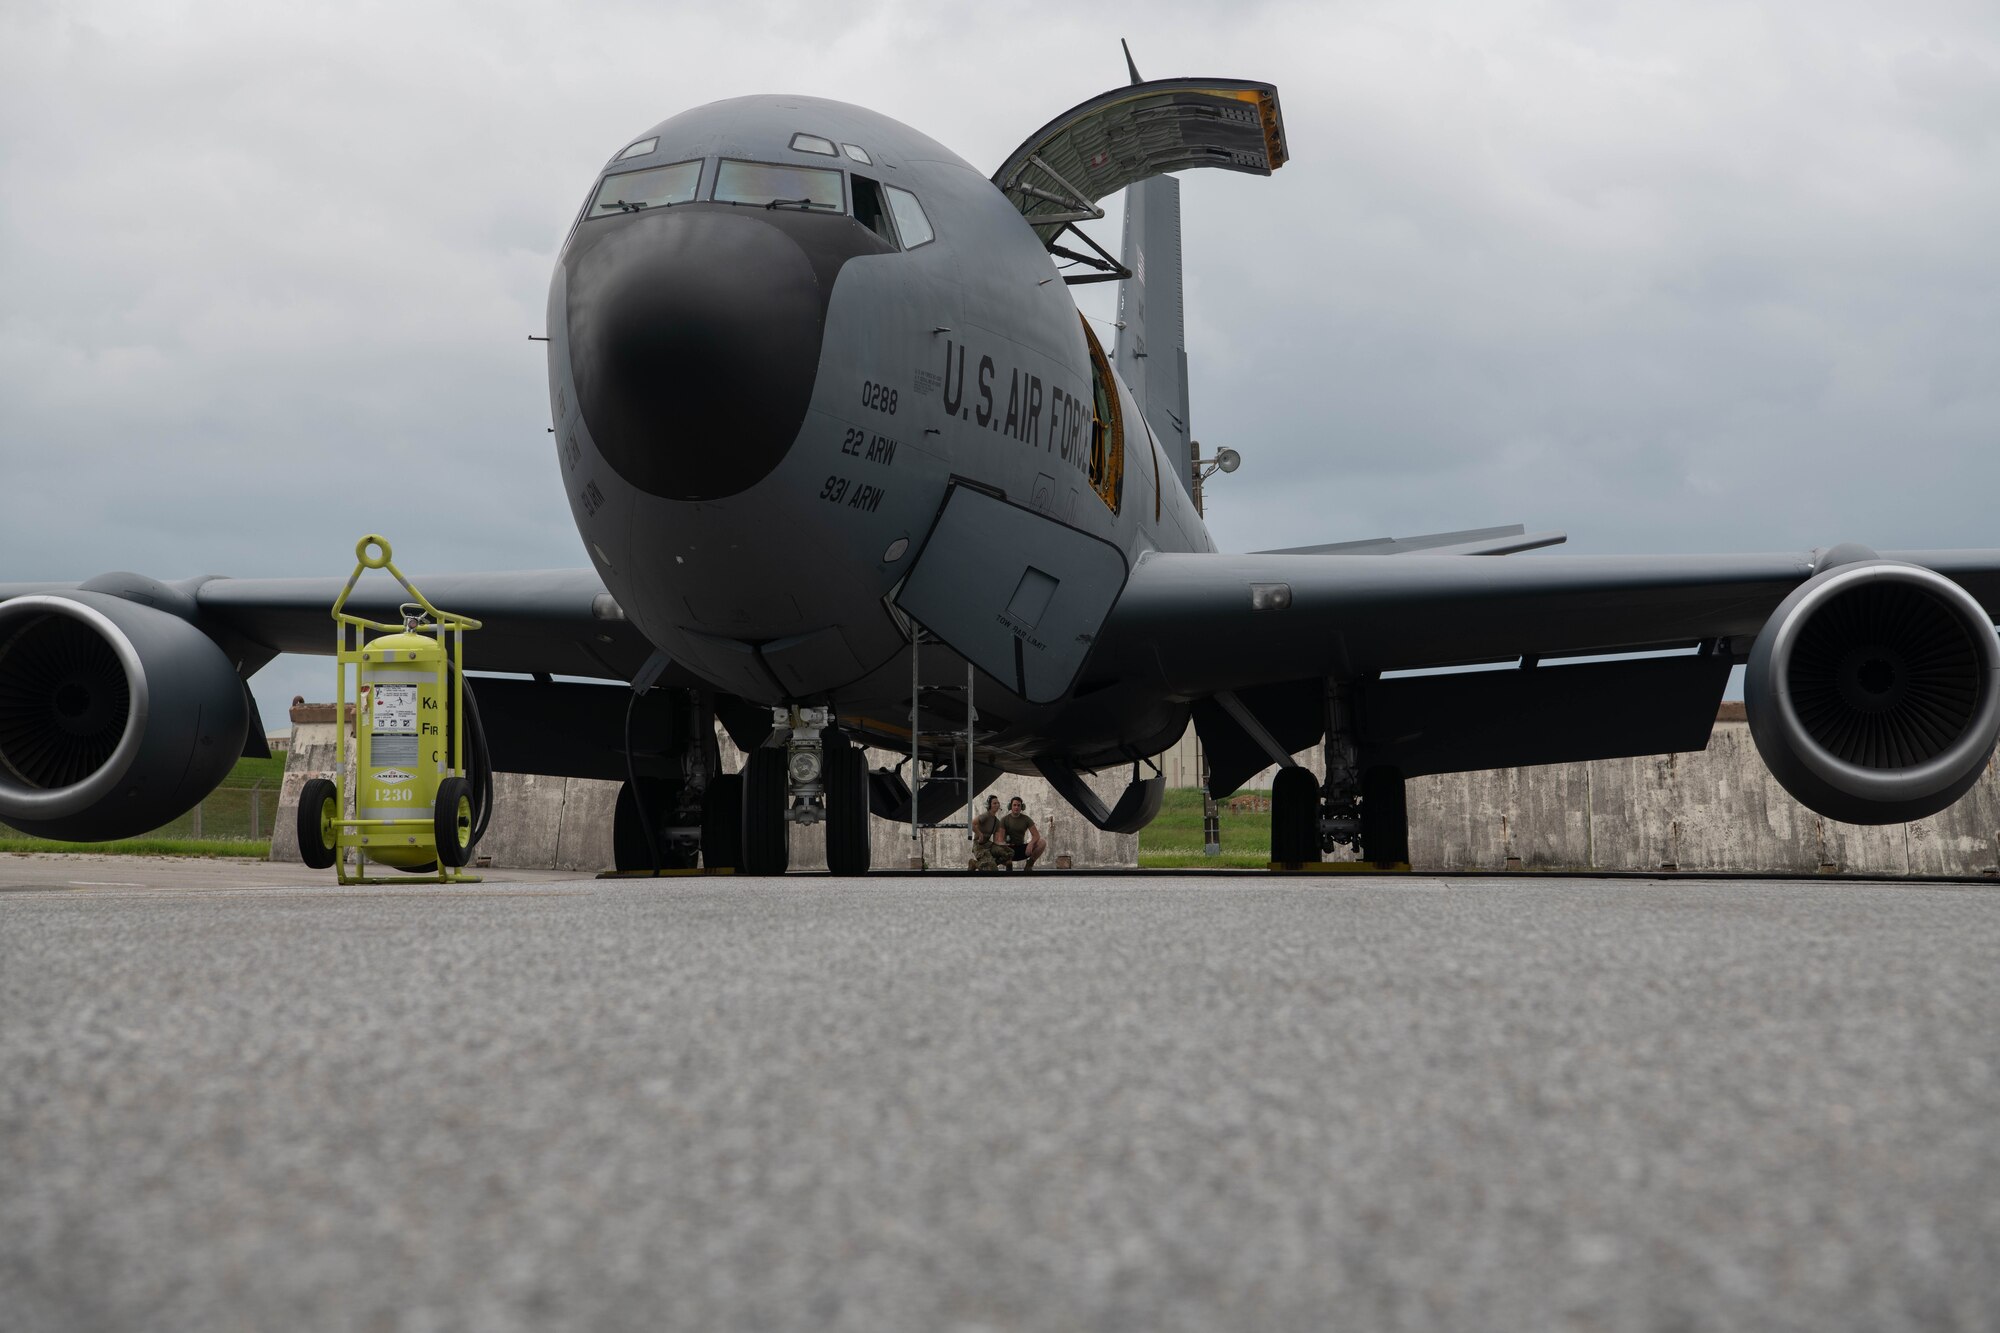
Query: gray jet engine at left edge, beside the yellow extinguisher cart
{"points": [[115, 718]]}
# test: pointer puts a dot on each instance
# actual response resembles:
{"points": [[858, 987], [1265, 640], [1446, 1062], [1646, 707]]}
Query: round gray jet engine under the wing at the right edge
{"points": [[1875, 692]]}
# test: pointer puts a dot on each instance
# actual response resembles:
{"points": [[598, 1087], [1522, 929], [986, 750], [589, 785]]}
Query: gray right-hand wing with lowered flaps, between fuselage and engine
{"points": [[1251, 639]]}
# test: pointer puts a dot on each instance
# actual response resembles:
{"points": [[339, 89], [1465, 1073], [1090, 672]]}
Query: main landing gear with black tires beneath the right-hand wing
{"points": [[1359, 806]]}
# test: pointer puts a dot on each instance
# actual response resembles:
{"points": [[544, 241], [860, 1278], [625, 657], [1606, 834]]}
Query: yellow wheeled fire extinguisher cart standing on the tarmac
{"points": [[411, 806]]}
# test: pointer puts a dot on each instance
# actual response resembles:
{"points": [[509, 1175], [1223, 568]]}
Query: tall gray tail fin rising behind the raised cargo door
{"points": [[1151, 351]]}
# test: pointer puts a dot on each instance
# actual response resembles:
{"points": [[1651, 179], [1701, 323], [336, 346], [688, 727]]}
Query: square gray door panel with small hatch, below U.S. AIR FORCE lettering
{"points": [[1015, 593]]}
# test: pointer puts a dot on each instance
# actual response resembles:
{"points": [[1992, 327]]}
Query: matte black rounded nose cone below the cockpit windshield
{"points": [[695, 341]]}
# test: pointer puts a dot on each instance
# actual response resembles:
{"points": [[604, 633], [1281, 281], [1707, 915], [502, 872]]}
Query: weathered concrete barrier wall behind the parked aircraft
{"points": [[1711, 812]]}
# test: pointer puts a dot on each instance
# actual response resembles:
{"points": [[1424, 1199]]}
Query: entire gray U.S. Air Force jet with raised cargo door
{"points": [[849, 465]]}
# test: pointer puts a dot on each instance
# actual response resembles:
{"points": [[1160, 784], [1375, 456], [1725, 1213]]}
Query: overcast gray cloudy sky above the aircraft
{"points": [[1671, 277]]}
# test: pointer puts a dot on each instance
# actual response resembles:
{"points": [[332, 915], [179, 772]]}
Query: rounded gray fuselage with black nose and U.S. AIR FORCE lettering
{"points": [[765, 379]]}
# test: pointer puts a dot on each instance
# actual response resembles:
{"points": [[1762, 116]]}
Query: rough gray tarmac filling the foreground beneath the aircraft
{"points": [[241, 1098]]}
